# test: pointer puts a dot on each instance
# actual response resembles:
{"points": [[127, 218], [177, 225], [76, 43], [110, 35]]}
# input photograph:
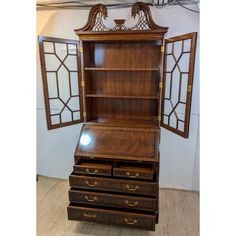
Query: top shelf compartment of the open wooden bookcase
{"points": [[101, 55]]}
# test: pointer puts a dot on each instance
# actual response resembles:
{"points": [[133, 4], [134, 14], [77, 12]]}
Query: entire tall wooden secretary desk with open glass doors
{"points": [[123, 83]]}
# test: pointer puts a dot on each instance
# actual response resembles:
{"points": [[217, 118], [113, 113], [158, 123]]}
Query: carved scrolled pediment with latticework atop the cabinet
{"points": [[98, 15]]}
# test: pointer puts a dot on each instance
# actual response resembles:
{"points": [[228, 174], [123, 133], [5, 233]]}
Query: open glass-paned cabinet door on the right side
{"points": [[178, 71]]}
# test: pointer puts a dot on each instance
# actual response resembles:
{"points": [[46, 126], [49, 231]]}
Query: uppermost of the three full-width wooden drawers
{"points": [[116, 185]]}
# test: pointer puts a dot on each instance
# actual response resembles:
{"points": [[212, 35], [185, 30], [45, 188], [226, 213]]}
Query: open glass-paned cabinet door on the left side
{"points": [[61, 76]]}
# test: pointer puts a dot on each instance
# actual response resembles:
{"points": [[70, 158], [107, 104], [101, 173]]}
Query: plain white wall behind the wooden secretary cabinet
{"points": [[55, 148]]}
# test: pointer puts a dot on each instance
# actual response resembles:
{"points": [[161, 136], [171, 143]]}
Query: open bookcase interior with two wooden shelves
{"points": [[115, 82]]}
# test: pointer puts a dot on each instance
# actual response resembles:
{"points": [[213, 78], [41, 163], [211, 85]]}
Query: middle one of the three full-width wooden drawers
{"points": [[113, 200]]}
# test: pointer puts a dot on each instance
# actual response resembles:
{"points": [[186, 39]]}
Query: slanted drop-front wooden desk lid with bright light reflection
{"points": [[130, 143]]}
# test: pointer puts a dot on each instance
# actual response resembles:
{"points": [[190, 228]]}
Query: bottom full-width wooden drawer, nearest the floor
{"points": [[134, 220]]}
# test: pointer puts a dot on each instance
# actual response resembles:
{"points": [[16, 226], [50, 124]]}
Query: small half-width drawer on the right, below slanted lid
{"points": [[134, 170]]}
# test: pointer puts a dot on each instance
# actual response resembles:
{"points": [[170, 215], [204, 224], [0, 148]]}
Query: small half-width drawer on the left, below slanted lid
{"points": [[93, 167]]}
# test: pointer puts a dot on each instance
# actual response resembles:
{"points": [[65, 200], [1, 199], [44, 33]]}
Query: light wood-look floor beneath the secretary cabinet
{"points": [[179, 214]]}
